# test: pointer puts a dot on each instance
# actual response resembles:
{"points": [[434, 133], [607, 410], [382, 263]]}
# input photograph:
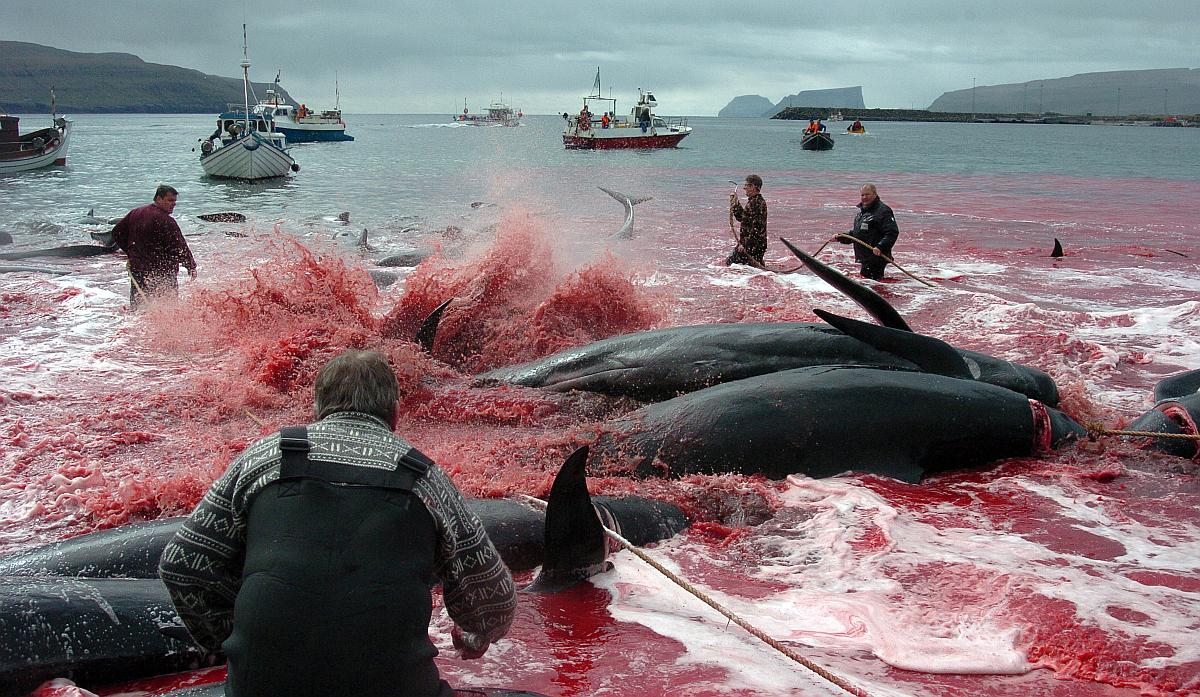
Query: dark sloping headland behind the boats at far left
{"points": [[109, 83]]}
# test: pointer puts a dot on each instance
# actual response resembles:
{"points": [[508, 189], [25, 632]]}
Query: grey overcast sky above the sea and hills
{"points": [[405, 57]]}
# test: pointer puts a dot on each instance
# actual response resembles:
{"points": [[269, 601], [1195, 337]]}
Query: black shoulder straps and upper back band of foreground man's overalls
{"points": [[296, 448]]}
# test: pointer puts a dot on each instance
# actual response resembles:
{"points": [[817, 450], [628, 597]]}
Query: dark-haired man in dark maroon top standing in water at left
{"points": [[155, 248]]}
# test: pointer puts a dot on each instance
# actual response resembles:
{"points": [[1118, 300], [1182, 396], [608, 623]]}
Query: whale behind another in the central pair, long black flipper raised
{"points": [[663, 364]]}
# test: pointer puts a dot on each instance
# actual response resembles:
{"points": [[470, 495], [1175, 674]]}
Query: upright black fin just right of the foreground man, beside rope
{"points": [[575, 546]]}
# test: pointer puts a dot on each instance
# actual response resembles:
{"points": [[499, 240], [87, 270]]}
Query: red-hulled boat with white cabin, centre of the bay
{"points": [[641, 130]]}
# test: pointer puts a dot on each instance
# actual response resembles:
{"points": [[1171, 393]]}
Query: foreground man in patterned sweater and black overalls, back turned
{"points": [[311, 561]]}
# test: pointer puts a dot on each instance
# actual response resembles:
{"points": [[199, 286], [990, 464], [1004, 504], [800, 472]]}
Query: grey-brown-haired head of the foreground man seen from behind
{"points": [[357, 382]]}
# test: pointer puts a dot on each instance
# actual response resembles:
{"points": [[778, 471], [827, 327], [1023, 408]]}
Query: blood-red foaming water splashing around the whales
{"points": [[1071, 575]]}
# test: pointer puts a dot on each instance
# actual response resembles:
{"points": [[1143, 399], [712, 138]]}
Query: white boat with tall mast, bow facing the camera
{"points": [[245, 145]]}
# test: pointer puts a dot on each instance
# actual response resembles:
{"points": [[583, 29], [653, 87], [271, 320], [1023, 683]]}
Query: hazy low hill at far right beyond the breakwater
{"points": [[1119, 93]]}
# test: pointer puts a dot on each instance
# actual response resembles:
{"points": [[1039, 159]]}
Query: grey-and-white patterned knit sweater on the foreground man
{"points": [[202, 566]]}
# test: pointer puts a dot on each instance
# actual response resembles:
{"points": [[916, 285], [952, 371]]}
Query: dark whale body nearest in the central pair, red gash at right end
{"points": [[827, 420]]}
